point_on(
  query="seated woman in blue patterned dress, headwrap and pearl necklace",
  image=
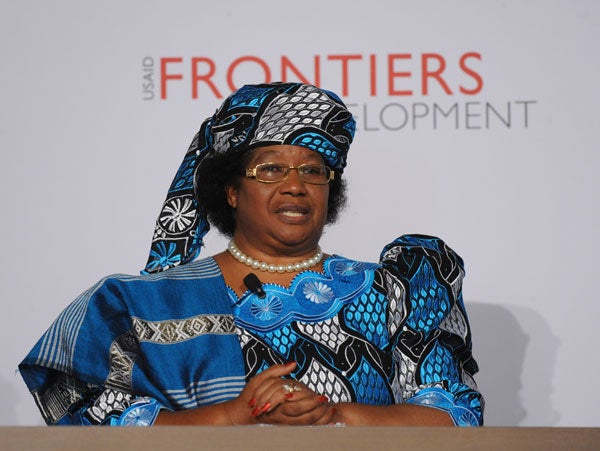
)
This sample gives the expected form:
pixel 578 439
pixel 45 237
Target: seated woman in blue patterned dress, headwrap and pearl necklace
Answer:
pixel 271 330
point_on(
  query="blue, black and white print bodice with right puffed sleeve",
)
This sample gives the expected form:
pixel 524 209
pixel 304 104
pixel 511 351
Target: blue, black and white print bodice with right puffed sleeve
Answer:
pixel 374 334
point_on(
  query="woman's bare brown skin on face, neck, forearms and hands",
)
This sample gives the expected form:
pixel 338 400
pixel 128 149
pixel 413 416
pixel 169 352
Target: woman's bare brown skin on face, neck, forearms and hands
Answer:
pixel 282 223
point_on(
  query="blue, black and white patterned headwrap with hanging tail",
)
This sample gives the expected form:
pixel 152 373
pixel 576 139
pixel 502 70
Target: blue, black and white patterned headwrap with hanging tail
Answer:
pixel 253 116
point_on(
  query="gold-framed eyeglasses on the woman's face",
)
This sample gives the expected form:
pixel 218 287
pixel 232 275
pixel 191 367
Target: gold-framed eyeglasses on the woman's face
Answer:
pixel 315 174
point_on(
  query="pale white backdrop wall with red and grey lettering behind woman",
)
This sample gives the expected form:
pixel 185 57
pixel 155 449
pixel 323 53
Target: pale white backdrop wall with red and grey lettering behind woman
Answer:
pixel 497 155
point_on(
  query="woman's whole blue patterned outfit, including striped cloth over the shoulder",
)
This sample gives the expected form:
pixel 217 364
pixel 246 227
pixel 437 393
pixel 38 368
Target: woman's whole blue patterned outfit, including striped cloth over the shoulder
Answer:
pixel 377 334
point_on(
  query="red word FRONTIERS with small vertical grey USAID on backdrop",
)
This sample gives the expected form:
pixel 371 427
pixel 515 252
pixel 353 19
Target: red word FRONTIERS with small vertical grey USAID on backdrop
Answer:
pixel 398 74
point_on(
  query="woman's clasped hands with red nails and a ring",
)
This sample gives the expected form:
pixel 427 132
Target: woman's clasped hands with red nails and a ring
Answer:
pixel 270 398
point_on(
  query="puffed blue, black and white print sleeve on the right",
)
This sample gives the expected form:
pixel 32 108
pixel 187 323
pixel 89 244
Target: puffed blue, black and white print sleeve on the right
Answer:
pixel 431 333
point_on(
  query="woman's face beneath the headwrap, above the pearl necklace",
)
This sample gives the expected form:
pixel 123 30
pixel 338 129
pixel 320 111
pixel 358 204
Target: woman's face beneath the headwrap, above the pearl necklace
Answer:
pixel 282 218
